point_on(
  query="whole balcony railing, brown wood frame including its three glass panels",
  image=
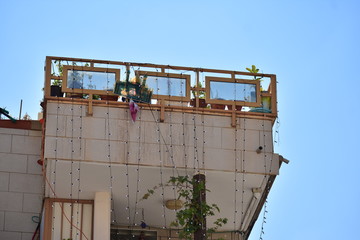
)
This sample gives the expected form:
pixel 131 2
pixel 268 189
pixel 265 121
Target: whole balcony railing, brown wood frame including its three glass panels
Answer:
pixel 210 91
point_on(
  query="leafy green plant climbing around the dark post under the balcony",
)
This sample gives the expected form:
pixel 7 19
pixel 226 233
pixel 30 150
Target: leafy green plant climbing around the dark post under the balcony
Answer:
pixel 194 212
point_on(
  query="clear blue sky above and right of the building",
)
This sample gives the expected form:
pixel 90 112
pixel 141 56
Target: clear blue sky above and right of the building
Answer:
pixel 312 46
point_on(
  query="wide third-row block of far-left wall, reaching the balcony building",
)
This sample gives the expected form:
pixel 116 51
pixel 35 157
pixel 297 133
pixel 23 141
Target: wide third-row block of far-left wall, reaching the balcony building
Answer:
pixel 26 183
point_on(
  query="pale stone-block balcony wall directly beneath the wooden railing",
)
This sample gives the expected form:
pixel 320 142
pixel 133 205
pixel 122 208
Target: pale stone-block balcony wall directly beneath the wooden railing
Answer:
pixel 209 142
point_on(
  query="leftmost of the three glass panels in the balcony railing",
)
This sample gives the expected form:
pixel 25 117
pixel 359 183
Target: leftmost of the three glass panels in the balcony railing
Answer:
pixel 91 80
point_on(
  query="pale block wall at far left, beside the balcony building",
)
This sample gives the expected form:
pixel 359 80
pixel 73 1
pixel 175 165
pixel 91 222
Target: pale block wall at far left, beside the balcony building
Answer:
pixel 21 183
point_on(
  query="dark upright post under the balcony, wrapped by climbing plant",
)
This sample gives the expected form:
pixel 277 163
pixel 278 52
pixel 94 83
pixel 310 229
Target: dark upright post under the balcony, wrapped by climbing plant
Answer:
pixel 199 196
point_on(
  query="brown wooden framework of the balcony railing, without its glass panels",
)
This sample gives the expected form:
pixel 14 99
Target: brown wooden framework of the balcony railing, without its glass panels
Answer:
pixel 271 91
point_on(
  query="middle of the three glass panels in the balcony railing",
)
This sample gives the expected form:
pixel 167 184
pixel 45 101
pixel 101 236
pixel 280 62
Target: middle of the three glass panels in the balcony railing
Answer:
pixel 167 86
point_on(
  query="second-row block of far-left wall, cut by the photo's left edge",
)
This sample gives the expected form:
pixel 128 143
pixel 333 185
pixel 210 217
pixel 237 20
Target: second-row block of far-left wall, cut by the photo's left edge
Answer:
pixel 13 162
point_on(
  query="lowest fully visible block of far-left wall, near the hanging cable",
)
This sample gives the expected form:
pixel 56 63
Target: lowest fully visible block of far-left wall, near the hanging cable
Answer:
pixel 19 222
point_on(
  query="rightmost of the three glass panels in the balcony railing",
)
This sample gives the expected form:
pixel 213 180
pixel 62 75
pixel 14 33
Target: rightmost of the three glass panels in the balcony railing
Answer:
pixel 233 91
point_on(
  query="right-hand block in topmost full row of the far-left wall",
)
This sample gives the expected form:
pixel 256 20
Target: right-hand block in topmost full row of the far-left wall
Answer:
pixel 26 145
